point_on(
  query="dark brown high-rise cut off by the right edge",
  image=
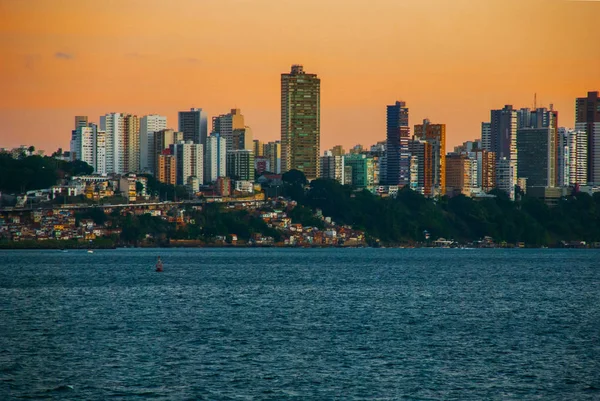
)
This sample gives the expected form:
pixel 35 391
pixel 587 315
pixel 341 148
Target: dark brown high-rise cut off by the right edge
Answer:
pixel 587 119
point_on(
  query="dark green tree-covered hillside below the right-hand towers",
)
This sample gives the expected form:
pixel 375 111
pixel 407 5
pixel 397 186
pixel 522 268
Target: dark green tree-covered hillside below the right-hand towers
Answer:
pixel 406 217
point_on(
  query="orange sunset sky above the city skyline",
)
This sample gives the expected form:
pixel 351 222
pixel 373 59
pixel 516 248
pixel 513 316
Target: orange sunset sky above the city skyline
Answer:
pixel 451 61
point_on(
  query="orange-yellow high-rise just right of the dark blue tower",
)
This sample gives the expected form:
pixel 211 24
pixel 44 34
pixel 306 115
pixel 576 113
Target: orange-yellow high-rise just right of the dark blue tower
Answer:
pixel 435 134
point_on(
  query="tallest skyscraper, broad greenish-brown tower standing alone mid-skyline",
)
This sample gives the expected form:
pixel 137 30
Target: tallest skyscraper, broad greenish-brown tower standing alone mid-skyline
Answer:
pixel 300 122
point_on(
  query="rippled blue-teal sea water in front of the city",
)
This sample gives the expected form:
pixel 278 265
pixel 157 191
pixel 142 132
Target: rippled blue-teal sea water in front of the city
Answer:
pixel 322 324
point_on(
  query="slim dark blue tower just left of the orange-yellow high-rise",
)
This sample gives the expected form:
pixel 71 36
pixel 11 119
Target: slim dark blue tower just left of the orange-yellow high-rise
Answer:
pixel 397 137
